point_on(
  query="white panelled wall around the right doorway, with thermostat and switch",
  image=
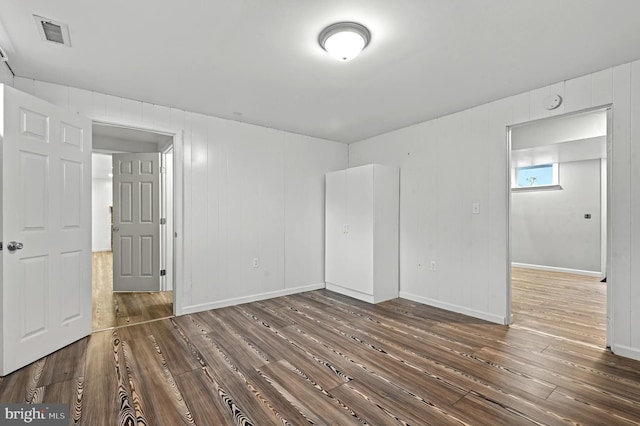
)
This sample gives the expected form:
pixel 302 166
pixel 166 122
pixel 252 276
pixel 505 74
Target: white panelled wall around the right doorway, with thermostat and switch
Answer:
pixel 451 162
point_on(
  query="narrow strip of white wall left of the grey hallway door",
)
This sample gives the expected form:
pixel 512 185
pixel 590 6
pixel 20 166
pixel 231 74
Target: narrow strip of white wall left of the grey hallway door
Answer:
pixel 101 200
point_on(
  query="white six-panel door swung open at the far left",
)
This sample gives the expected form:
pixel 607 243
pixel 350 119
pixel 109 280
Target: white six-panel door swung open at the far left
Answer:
pixel 46 228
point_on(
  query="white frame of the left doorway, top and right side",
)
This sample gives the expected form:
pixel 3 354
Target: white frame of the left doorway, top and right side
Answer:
pixel 178 203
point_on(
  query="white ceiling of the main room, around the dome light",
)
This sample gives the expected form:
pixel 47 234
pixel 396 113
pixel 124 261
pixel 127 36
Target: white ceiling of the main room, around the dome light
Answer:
pixel 259 62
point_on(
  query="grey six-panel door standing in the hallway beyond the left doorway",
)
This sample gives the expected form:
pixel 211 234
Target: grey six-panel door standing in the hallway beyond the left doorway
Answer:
pixel 136 222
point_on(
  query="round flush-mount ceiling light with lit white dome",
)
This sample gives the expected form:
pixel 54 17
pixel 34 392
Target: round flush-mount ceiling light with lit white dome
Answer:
pixel 344 40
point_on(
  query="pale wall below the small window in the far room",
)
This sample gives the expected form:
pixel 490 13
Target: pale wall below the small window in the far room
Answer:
pixel 548 228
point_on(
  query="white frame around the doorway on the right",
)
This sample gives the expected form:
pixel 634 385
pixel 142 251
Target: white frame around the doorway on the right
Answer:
pixel 606 257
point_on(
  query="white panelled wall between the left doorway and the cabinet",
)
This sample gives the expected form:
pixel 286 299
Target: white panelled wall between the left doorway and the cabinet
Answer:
pixel 248 192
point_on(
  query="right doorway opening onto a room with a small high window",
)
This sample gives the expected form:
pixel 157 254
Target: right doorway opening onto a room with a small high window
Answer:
pixel 558 228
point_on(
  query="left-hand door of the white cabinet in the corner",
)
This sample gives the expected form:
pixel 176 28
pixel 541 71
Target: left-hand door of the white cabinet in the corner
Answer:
pixel 335 222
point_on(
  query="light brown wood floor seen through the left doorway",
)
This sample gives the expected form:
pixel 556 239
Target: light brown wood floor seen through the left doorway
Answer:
pixel 123 308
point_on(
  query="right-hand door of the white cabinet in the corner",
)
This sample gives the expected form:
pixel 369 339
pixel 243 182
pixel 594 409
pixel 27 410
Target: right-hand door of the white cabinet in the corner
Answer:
pixel 360 228
